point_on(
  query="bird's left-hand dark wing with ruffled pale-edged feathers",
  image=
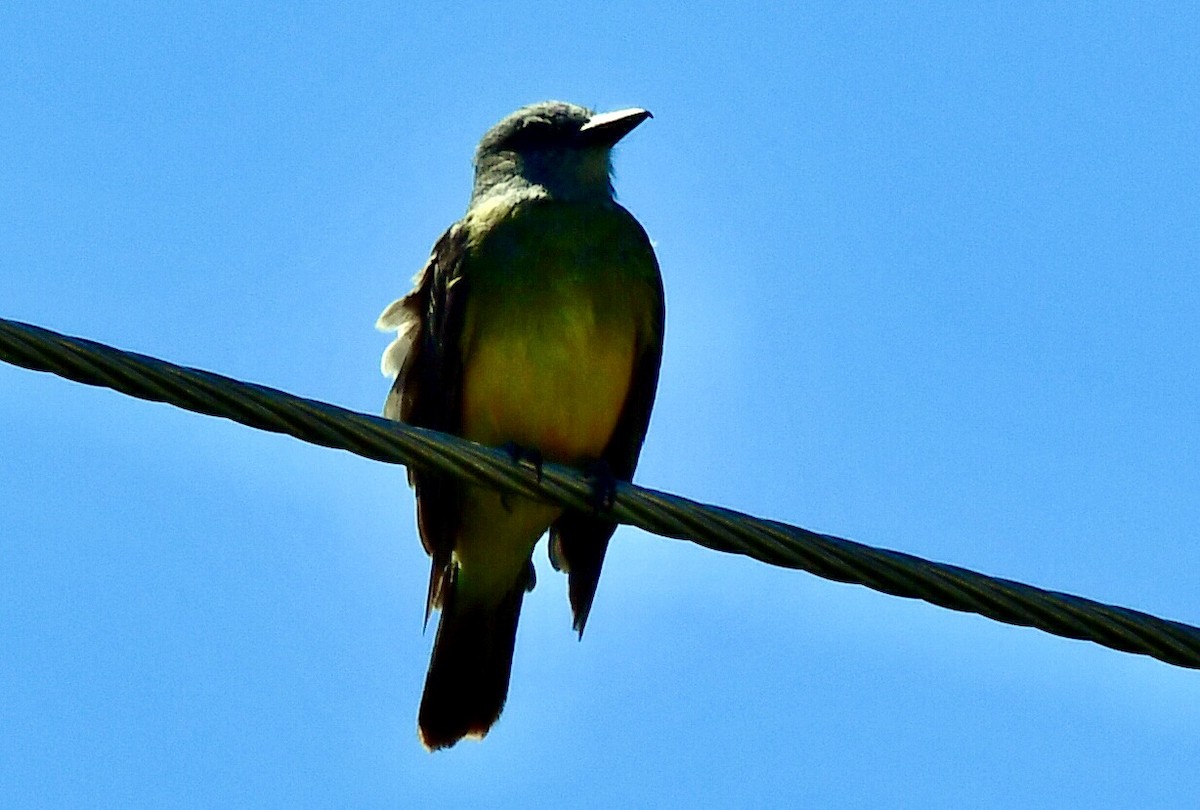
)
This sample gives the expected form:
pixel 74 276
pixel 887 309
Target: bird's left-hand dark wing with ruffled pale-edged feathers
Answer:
pixel 428 392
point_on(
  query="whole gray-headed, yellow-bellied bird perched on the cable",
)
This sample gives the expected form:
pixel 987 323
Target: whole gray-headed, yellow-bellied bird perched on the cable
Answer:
pixel 538 325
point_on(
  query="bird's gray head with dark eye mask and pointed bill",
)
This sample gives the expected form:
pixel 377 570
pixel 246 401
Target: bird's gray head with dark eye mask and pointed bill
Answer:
pixel 553 149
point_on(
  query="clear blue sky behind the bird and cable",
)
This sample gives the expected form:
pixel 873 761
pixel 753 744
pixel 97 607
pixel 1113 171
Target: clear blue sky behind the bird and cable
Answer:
pixel 932 284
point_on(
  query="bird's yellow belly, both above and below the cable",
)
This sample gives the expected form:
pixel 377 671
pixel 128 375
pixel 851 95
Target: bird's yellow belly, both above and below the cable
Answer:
pixel 556 385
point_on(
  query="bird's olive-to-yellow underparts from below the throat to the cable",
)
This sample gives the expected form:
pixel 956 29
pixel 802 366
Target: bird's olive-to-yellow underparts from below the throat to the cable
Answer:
pixel 560 302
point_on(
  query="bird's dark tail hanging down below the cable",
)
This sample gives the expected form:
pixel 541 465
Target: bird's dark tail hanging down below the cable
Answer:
pixel 469 677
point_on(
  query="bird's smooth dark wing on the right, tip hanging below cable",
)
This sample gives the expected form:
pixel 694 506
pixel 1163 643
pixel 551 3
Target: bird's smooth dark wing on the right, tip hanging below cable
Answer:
pixel 579 541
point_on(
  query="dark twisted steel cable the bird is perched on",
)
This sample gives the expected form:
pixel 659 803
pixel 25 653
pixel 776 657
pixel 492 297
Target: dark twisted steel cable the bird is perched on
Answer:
pixel 713 527
